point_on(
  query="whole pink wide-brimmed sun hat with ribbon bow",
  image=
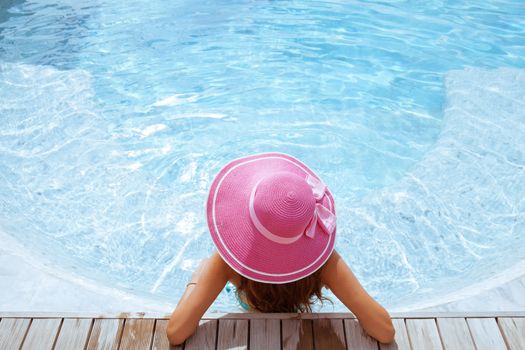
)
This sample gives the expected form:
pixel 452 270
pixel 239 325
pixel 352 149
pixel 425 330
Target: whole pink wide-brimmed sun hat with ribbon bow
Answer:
pixel 271 218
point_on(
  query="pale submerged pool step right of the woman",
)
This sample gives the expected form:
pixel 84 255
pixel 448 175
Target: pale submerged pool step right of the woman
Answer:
pixel 462 205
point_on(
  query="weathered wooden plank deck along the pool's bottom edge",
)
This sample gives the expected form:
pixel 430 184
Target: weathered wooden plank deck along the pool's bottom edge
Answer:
pixel 261 331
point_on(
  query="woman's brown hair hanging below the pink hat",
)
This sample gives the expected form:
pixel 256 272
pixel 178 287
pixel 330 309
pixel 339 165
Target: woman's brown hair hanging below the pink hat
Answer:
pixel 297 296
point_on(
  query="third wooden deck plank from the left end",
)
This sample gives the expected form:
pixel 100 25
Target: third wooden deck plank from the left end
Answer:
pixel 73 333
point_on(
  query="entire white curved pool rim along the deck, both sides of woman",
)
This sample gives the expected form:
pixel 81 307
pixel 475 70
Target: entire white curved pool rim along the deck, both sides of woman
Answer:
pixel 31 284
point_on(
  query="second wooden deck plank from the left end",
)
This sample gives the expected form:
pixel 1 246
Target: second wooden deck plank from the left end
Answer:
pixel 42 333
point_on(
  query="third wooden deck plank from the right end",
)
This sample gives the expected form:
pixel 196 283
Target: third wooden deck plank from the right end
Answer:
pixel 455 334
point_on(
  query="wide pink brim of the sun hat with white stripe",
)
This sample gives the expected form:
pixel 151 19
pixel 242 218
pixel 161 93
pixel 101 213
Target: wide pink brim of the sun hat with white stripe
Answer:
pixel 240 244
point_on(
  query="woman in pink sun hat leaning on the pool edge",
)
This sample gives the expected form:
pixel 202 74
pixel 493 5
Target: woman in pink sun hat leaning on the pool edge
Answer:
pixel 273 223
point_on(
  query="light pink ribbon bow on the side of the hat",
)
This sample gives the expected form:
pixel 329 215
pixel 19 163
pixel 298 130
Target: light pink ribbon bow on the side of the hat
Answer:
pixel 322 215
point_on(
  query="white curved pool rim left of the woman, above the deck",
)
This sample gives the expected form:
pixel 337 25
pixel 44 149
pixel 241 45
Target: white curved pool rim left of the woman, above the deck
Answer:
pixel 31 284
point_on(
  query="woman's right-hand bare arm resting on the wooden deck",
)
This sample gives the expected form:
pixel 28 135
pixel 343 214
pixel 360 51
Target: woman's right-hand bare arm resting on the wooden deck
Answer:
pixel 375 320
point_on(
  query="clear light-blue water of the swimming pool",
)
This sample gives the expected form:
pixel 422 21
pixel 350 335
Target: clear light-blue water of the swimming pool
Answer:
pixel 116 116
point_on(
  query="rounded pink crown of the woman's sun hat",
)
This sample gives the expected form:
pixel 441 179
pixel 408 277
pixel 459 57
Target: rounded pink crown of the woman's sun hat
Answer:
pixel 284 204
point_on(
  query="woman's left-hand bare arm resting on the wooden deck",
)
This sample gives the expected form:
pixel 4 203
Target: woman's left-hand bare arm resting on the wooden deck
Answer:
pixel 206 283
